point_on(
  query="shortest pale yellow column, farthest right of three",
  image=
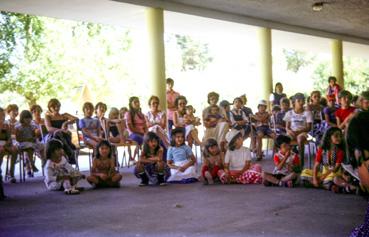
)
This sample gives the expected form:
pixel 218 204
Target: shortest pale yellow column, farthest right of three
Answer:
pixel 337 61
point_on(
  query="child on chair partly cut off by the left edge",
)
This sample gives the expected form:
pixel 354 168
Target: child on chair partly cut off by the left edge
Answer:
pixel 6 145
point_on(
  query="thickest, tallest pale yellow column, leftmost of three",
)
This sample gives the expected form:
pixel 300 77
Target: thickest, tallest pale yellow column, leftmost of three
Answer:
pixel 155 30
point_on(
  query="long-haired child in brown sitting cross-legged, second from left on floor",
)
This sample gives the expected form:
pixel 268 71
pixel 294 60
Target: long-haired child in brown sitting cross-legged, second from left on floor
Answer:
pixel 103 173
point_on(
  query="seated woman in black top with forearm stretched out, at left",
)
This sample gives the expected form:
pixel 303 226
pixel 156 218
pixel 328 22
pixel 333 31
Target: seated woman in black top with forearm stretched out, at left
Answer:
pixel 57 127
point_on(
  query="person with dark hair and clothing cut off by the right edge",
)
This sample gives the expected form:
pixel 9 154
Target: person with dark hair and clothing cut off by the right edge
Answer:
pixel 358 144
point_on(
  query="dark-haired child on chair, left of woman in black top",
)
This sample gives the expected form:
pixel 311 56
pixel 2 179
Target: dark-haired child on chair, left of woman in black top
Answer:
pixel 26 136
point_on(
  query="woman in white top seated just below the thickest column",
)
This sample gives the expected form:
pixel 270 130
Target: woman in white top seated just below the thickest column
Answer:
pixel 156 120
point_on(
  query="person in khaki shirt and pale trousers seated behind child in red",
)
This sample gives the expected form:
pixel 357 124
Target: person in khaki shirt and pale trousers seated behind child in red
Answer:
pixel 218 130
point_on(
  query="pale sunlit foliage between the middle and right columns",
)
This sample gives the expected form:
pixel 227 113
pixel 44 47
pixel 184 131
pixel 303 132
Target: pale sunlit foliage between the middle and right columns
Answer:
pixel 297 59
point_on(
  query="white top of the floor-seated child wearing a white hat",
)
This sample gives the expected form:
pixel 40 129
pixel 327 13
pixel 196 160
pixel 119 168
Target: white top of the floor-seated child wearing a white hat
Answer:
pixel 237 158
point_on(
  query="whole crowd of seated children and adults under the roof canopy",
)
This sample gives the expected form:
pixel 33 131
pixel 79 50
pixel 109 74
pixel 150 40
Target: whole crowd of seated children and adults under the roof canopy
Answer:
pixel 337 122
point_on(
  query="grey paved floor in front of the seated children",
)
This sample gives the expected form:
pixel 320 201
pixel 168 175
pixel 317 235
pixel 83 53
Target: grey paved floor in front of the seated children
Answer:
pixel 178 210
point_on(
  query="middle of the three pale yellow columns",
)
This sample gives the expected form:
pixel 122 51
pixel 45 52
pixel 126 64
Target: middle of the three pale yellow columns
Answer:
pixel 266 73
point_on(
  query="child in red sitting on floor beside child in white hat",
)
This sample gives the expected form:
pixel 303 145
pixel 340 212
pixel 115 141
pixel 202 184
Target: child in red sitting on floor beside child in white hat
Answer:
pixel 212 162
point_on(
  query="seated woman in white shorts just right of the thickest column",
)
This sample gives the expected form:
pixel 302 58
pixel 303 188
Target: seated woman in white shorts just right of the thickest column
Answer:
pixel 181 121
